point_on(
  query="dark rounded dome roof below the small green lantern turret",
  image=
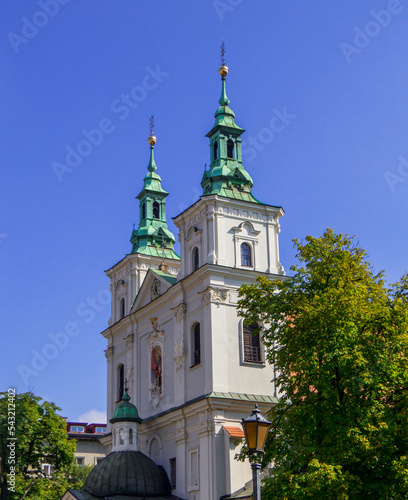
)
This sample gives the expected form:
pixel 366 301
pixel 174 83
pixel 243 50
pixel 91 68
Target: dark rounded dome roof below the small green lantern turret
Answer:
pixel 127 473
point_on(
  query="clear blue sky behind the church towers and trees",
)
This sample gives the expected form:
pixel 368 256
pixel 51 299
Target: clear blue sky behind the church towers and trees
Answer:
pixel 337 157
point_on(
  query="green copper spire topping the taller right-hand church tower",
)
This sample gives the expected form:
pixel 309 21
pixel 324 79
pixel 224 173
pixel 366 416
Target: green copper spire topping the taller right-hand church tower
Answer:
pixel 227 175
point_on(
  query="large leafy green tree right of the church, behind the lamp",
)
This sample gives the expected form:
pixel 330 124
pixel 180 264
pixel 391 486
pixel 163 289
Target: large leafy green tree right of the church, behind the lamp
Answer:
pixel 338 337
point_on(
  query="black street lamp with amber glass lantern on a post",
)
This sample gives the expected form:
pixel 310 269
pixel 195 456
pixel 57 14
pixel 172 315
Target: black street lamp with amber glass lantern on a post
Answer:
pixel 255 430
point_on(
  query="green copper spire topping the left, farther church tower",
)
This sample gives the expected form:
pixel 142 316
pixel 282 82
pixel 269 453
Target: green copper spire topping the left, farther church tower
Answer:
pixel 153 236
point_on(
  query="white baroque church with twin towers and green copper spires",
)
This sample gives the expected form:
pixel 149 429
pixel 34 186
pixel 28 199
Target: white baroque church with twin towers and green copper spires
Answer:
pixel 175 341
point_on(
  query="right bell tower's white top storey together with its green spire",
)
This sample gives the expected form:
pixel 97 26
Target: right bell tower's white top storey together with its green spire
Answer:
pixel 229 226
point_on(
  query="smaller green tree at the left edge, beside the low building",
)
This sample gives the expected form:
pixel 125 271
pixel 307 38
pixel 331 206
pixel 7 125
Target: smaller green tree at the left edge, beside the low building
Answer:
pixel 31 432
